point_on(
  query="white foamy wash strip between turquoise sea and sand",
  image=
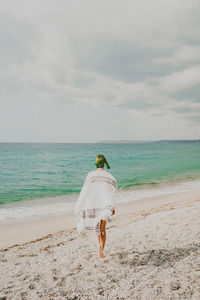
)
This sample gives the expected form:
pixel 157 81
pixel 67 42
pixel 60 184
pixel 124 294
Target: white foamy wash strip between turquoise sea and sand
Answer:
pixel 15 213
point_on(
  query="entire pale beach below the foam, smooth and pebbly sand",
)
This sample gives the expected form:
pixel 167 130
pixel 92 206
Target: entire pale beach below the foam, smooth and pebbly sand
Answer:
pixel 152 252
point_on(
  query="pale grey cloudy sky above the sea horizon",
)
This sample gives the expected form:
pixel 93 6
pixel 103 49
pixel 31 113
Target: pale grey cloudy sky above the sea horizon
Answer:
pixel 85 71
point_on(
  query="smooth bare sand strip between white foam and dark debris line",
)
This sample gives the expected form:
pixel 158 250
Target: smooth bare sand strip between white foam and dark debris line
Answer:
pixel 28 231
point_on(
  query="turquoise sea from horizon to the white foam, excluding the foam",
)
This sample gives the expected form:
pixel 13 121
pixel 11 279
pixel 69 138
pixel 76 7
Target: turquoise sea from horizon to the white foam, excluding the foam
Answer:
pixel 29 171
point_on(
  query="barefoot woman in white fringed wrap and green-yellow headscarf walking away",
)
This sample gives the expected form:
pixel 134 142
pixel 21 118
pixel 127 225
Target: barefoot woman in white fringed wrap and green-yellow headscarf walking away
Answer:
pixel 95 205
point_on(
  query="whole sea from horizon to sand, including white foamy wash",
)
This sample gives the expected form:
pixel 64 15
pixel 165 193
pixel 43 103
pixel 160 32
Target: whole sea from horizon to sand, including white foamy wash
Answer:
pixel 39 180
